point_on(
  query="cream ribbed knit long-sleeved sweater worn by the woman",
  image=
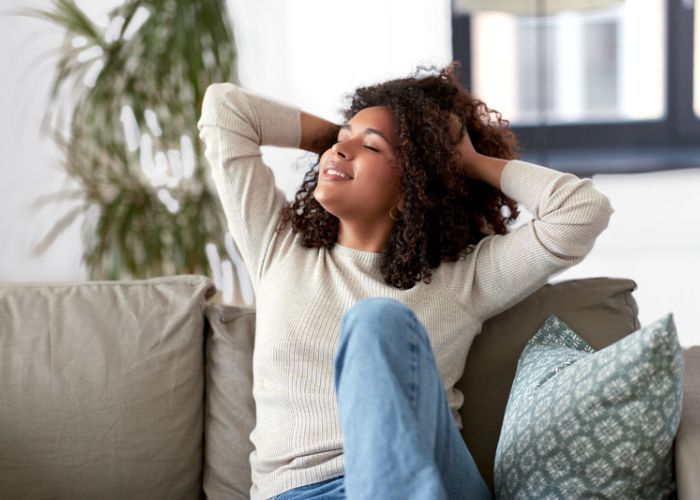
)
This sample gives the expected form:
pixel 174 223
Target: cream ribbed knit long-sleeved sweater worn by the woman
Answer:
pixel 302 293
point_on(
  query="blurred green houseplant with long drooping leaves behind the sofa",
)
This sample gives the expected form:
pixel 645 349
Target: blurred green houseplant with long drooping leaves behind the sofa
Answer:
pixel 135 88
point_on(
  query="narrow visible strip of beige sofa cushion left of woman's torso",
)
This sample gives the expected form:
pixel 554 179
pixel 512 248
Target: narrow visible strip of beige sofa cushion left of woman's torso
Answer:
pixel 229 408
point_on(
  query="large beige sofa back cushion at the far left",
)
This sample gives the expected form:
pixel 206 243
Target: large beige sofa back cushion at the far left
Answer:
pixel 101 387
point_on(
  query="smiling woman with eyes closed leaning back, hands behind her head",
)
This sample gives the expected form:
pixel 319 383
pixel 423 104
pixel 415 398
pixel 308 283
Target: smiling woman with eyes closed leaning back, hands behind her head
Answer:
pixel 372 284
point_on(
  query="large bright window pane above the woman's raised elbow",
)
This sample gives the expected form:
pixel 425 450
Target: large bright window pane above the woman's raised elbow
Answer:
pixel 599 65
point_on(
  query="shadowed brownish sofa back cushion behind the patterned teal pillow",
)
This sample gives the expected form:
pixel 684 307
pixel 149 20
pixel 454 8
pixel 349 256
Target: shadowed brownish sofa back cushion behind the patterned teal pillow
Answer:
pixel 583 304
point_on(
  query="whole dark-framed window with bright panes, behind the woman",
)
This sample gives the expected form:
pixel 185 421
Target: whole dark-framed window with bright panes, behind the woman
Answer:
pixel 613 89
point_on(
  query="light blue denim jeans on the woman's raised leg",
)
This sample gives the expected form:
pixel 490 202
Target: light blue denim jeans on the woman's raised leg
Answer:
pixel 400 440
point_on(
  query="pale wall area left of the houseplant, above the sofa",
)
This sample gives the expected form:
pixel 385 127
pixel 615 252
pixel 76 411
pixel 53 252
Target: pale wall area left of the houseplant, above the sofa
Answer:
pixel 29 162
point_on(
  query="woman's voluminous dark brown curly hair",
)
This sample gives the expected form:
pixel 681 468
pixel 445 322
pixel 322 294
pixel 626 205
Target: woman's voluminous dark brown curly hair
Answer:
pixel 445 213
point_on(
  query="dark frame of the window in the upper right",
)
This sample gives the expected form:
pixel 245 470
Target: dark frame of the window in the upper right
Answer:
pixel 671 142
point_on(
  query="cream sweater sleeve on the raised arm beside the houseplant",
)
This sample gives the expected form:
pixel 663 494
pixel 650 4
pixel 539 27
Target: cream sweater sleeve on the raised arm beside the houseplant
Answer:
pixel 233 125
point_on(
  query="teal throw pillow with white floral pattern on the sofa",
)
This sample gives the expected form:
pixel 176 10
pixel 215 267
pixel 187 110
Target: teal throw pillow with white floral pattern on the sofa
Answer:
pixel 587 424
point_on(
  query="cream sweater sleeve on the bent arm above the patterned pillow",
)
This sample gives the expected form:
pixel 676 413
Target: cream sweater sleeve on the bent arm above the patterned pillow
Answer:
pixel 569 214
